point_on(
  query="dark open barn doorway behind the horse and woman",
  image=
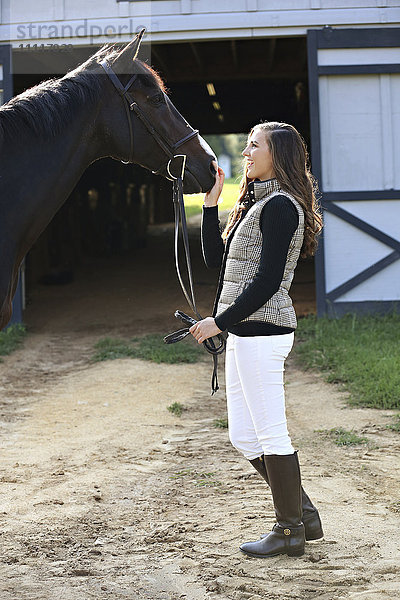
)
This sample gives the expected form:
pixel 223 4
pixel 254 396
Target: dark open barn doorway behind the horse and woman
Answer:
pixel 119 216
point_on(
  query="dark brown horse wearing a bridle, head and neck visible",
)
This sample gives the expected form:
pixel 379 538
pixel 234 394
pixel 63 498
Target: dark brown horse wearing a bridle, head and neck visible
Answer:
pixel 52 132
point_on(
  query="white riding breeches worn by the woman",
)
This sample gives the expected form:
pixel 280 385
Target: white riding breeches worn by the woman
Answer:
pixel 255 394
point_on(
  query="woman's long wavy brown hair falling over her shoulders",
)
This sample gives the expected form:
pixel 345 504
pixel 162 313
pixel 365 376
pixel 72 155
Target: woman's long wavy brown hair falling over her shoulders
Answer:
pixel 291 166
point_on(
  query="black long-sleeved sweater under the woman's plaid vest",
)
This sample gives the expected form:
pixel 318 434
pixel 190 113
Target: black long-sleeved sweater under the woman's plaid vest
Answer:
pixel 278 222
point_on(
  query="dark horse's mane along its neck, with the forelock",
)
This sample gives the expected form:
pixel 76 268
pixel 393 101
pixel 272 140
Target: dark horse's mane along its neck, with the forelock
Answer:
pixel 49 107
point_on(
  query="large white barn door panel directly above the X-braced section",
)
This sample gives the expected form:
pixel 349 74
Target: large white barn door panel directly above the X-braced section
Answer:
pixel 359 117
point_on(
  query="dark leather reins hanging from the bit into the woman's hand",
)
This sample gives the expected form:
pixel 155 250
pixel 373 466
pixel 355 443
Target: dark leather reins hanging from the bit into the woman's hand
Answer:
pixel 180 217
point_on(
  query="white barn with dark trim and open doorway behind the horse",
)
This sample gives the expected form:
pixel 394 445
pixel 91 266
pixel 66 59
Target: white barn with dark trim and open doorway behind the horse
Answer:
pixel 330 67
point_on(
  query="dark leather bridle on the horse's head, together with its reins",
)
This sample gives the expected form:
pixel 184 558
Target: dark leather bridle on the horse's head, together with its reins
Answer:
pixel 175 164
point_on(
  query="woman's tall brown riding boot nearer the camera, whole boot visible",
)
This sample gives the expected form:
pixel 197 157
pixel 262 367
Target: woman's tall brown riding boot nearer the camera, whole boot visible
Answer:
pixel 287 535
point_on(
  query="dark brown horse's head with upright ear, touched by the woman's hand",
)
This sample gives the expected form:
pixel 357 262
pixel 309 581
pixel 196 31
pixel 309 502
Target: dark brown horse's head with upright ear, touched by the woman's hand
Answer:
pixel 149 129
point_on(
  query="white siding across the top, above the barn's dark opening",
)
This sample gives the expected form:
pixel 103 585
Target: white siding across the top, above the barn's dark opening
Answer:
pixel 184 20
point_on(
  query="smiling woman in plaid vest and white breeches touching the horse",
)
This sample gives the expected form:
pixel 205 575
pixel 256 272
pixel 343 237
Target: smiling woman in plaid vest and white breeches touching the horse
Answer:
pixel 275 220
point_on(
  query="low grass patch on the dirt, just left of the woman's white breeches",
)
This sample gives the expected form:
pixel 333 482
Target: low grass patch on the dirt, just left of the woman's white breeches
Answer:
pixel 149 347
